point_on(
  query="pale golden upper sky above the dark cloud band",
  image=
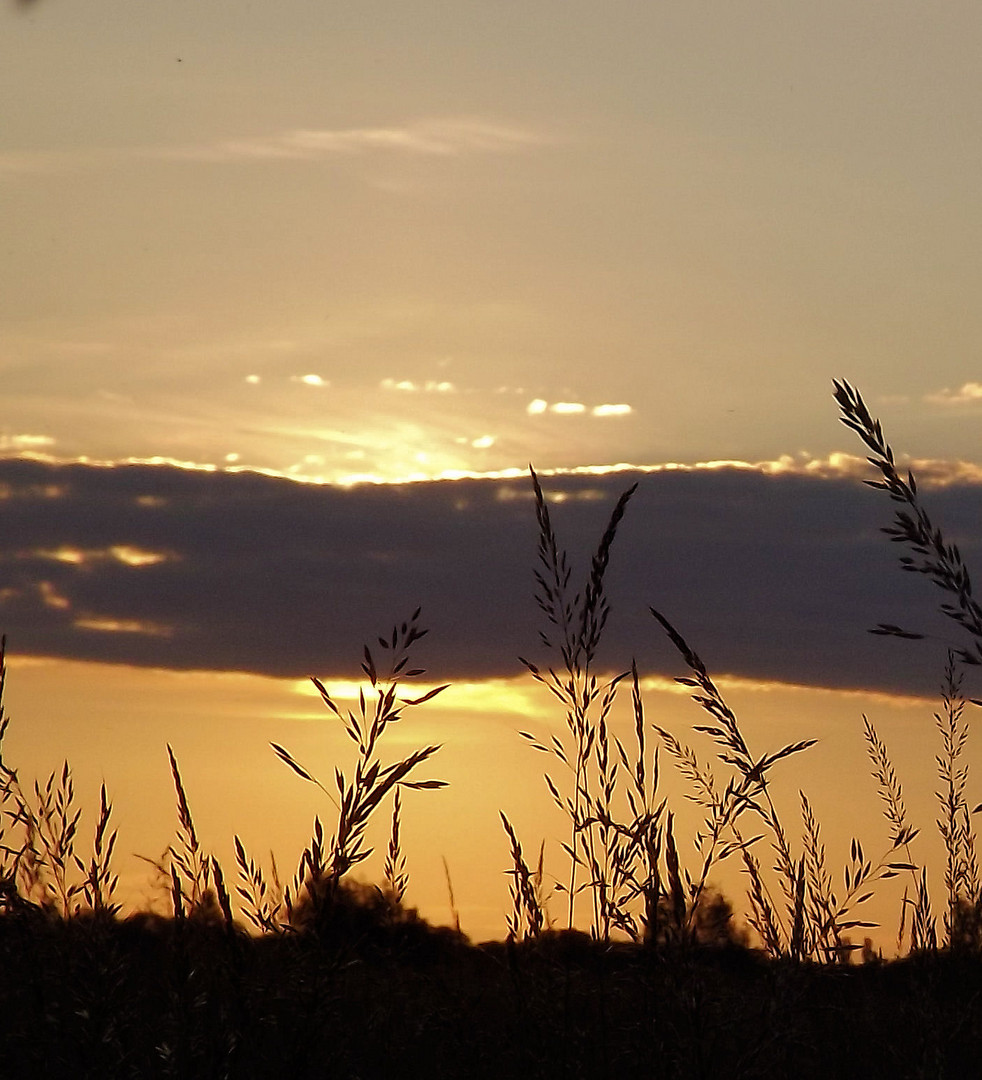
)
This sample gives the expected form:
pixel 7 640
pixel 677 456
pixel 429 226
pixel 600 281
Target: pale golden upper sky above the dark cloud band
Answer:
pixel 400 239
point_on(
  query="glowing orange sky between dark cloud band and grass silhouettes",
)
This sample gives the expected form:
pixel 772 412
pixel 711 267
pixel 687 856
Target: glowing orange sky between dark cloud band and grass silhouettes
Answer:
pixel 113 723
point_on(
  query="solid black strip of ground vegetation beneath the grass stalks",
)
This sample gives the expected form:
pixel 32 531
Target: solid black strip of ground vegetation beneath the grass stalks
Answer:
pixel 146 997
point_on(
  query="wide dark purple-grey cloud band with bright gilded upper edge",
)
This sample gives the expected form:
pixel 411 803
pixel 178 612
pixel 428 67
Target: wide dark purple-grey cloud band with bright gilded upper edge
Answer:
pixel 770 575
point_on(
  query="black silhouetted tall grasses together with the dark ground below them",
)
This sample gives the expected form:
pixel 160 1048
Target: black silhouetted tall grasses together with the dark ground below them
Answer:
pixel 319 977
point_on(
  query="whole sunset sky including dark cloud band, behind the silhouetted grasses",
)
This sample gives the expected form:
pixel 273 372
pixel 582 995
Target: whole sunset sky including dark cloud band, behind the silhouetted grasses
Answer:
pixel 291 296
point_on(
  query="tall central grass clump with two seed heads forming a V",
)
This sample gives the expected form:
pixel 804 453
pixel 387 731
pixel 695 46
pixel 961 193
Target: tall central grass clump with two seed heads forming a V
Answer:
pixel 616 830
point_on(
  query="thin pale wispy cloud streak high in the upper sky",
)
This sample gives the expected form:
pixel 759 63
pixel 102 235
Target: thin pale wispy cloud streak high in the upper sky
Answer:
pixel 428 139
